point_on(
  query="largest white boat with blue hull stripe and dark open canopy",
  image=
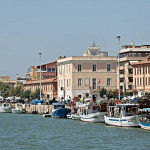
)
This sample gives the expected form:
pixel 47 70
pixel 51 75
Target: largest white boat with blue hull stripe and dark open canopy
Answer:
pixel 123 115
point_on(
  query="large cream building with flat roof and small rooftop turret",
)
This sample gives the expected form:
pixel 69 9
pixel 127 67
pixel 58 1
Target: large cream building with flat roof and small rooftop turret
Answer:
pixel 79 76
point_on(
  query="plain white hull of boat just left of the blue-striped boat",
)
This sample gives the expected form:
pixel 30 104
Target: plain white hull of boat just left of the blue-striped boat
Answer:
pixel 94 117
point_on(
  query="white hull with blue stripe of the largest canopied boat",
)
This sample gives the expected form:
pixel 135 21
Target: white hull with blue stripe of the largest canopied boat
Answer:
pixel 127 121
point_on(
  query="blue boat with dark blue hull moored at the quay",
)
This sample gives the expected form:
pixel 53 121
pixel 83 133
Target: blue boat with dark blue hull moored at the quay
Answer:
pixel 59 110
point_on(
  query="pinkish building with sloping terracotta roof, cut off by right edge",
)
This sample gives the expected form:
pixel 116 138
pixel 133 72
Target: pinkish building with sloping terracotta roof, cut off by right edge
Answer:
pixel 141 75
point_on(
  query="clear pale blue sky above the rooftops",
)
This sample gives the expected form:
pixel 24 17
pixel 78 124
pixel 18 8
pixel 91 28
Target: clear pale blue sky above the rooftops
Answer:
pixel 66 28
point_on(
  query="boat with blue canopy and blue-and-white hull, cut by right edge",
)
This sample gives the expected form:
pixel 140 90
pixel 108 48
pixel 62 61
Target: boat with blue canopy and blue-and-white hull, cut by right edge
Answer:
pixel 145 119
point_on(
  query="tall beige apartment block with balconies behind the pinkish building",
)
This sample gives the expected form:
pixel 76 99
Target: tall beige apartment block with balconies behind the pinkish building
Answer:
pixel 129 55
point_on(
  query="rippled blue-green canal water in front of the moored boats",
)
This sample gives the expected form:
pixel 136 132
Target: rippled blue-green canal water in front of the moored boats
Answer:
pixel 33 132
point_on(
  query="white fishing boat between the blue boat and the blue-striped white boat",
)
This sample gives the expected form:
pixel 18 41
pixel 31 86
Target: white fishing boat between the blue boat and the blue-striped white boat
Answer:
pixel 92 112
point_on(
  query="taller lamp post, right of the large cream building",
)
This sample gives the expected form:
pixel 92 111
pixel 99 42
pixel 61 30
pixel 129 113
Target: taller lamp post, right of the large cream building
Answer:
pixel 118 37
